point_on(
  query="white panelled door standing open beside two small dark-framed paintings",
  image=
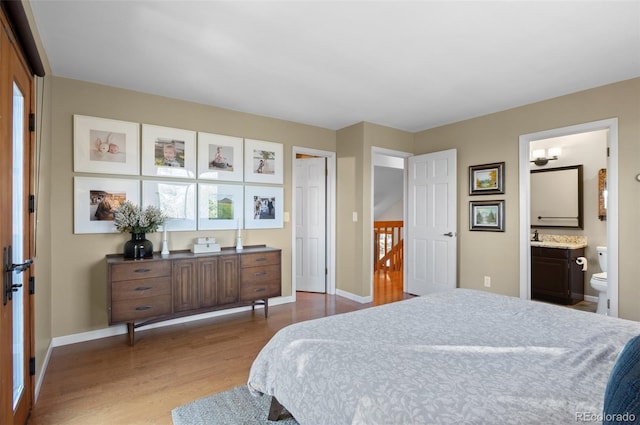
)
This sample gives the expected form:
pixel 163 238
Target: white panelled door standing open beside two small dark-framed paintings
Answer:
pixel 430 251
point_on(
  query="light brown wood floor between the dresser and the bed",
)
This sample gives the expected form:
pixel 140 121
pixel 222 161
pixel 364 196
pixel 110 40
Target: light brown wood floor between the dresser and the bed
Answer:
pixel 108 382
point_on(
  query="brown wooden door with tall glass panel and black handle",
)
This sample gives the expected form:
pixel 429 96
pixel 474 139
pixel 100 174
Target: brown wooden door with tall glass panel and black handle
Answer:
pixel 16 317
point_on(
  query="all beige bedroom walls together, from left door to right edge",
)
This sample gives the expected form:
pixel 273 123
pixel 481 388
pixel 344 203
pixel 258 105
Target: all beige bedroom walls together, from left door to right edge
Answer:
pixel 77 289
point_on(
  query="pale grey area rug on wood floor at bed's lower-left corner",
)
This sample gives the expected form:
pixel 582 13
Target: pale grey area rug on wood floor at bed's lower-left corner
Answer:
pixel 234 407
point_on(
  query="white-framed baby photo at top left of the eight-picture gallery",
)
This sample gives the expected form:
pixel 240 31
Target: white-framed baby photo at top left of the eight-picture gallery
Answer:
pixel 102 145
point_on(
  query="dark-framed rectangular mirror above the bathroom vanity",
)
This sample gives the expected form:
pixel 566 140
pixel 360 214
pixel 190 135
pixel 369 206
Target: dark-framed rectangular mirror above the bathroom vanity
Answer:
pixel 557 198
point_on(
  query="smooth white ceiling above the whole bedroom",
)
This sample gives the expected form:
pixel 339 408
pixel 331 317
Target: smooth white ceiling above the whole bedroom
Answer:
pixel 408 65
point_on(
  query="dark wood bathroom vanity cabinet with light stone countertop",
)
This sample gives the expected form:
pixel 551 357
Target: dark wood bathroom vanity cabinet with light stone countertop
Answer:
pixel 555 275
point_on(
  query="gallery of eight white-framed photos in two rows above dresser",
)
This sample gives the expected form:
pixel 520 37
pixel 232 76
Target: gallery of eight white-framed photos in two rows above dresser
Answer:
pixel 197 178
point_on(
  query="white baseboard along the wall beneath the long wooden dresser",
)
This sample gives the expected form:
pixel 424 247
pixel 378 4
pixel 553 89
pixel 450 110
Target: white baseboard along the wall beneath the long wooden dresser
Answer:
pixel 122 329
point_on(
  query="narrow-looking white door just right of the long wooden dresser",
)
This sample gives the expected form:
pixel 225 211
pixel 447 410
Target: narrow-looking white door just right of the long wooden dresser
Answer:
pixel 310 224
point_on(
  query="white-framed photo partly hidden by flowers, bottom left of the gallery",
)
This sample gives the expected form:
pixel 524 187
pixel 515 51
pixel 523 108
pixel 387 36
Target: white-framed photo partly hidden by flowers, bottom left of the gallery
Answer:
pixel 96 199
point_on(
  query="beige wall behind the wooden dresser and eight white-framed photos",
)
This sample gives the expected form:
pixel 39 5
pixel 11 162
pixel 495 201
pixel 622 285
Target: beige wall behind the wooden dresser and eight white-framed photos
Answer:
pixel 78 272
